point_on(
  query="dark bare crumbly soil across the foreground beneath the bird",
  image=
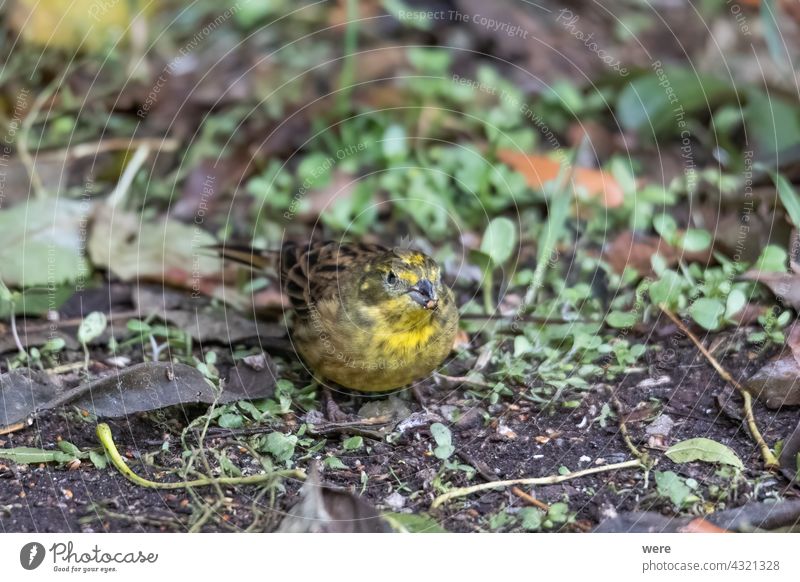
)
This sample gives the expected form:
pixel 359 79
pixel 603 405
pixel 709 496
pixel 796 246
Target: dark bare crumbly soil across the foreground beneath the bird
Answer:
pixel 532 442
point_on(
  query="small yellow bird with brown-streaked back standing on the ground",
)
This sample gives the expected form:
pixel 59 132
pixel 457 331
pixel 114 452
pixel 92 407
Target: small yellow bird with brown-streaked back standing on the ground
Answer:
pixel 366 317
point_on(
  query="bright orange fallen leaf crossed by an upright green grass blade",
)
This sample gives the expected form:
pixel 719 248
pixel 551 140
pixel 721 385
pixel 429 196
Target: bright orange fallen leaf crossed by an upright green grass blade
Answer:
pixel 538 170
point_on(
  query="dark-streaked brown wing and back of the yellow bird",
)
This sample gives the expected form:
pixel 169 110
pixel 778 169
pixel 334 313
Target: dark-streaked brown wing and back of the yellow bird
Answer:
pixel 314 272
